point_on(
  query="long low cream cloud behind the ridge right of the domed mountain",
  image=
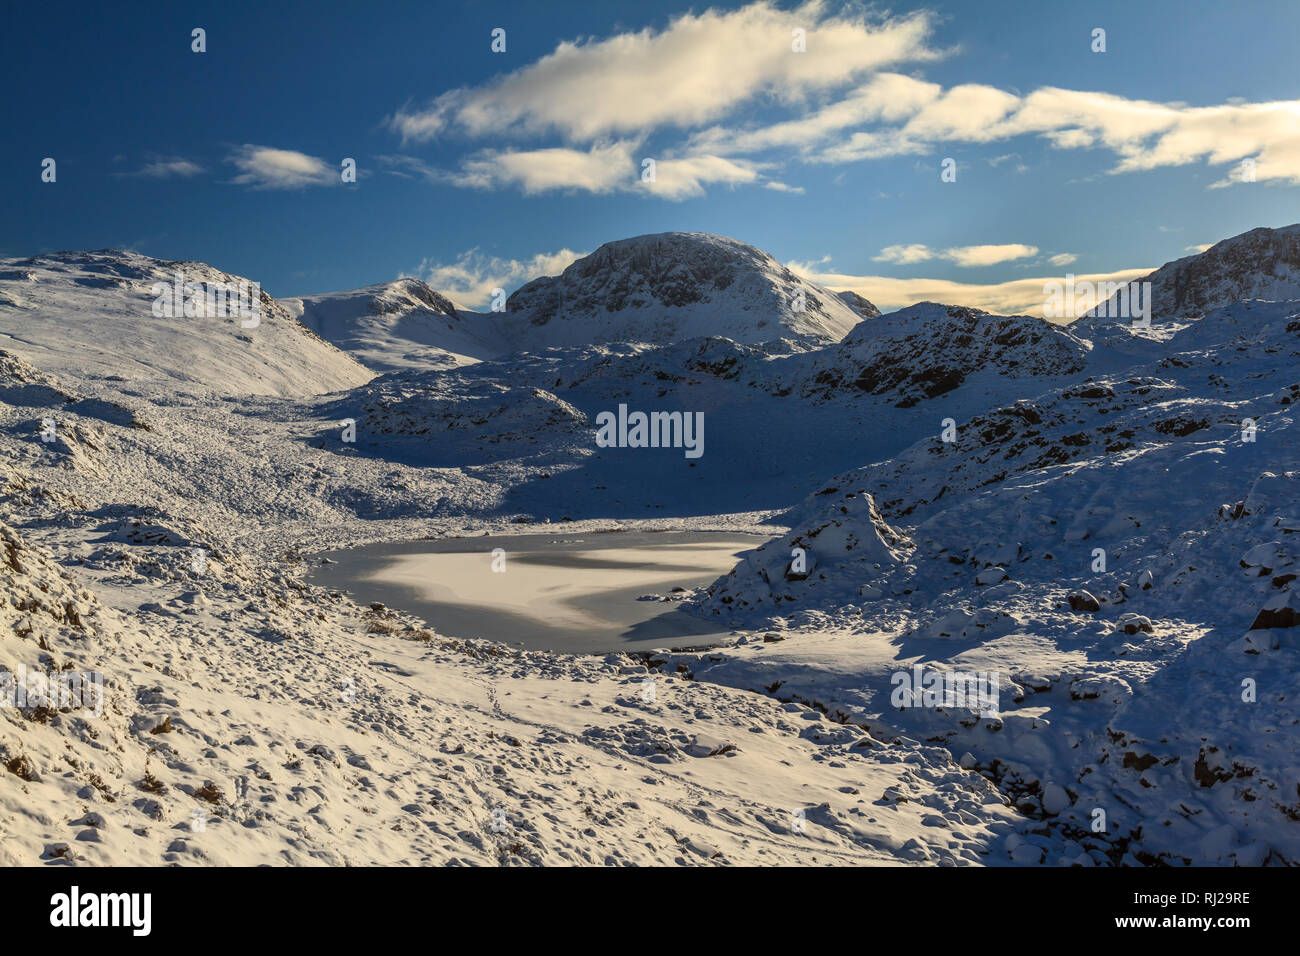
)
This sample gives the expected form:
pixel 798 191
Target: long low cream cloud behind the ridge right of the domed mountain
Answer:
pixel 1017 297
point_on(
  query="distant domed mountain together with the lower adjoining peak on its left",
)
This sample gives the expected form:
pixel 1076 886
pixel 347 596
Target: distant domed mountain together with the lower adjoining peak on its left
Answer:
pixel 653 289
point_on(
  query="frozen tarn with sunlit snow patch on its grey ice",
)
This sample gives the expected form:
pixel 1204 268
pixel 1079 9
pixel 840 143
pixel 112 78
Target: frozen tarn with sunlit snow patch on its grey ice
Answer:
pixel 575 594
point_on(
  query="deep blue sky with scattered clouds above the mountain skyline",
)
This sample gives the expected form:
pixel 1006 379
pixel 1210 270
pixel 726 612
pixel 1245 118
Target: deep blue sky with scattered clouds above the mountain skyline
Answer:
pixel 480 170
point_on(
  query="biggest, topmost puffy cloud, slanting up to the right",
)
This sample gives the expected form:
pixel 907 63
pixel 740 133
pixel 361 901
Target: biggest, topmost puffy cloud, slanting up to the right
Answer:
pixel 692 72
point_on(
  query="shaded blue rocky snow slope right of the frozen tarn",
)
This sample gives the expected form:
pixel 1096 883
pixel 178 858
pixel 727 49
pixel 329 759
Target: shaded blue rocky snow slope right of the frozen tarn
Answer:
pixel 986 551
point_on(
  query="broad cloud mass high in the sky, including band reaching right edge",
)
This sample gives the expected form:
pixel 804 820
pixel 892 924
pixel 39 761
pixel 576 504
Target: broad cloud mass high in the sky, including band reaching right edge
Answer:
pixel 844 102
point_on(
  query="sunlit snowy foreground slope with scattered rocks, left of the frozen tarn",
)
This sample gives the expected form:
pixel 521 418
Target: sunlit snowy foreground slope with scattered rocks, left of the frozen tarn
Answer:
pixel 250 719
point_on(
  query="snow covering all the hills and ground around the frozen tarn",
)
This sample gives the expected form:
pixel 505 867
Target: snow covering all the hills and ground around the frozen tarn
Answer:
pixel 1111 533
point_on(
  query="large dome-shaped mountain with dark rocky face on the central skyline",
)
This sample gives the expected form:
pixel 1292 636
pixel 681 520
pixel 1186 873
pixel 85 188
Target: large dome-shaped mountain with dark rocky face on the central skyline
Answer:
pixel 670 287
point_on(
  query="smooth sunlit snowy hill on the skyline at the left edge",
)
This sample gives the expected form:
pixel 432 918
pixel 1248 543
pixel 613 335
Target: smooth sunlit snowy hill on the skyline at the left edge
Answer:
pixel 99 313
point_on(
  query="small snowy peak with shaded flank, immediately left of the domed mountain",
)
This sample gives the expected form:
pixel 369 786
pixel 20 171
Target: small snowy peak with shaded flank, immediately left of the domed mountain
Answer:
pixel 398 325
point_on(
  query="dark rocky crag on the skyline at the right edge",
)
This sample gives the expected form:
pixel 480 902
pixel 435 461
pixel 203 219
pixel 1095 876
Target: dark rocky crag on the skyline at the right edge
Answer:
pixel 1260 265
